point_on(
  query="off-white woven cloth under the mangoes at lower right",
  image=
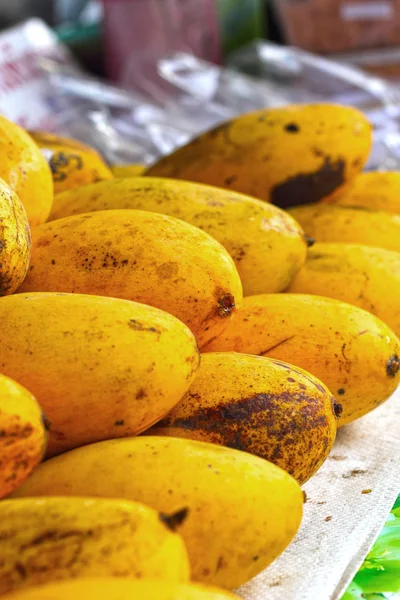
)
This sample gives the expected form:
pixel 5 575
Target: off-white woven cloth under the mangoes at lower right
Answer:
pixel 348 501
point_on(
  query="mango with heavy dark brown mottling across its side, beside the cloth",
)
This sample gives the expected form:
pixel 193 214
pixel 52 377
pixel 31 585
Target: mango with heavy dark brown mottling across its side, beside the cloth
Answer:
pixel 256 404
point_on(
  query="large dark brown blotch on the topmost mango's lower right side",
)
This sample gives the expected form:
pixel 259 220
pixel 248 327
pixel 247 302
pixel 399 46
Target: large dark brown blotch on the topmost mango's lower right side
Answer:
pixel 305 188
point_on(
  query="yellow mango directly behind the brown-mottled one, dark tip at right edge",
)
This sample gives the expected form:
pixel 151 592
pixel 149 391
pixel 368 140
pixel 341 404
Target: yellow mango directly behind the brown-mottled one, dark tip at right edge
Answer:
pixel 354 353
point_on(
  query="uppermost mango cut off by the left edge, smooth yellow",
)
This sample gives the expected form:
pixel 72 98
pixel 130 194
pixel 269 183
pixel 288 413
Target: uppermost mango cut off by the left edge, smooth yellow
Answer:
pixel 26 170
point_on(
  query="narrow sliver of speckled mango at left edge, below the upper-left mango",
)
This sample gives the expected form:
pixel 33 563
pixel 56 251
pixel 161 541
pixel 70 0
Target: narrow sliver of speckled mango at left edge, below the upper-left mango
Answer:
pixel 15 241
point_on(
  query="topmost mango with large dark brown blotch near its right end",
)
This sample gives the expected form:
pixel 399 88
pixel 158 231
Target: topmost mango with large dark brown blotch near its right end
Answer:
pixel 289 155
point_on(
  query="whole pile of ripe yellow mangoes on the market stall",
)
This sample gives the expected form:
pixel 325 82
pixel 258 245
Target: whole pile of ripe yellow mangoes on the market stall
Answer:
pixel 179 345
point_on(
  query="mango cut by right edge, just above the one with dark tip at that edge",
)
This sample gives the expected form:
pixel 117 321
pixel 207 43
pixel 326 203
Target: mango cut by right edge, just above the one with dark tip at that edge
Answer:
pixel 361 275
